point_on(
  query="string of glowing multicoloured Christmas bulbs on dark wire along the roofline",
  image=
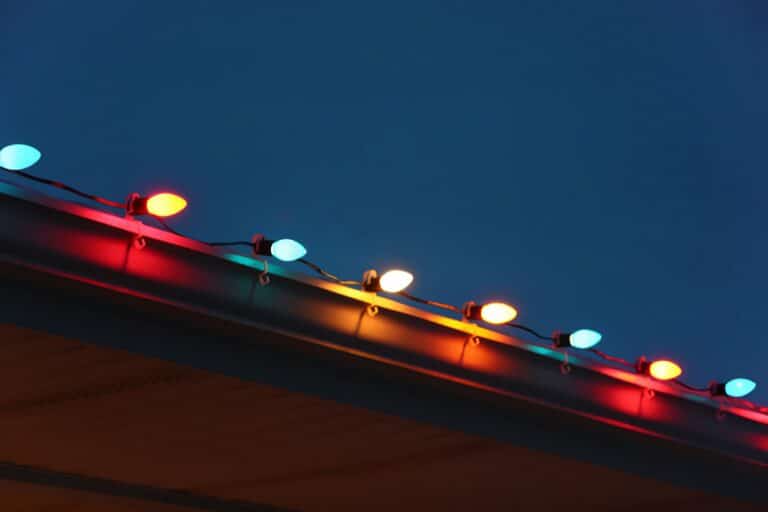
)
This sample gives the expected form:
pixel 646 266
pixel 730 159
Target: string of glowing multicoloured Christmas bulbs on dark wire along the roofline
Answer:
pixel 17 157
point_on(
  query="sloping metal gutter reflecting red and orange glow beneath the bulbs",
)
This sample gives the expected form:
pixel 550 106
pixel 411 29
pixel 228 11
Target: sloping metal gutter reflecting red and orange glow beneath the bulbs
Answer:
pixel 82 244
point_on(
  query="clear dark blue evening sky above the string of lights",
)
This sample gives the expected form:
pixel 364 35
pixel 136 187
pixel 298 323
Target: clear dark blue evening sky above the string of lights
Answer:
pixel 597 164
